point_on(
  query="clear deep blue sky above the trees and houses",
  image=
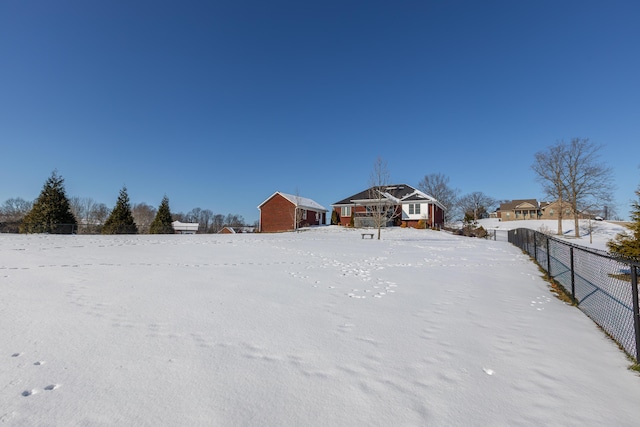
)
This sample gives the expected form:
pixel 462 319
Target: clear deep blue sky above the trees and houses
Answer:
pixel 218 104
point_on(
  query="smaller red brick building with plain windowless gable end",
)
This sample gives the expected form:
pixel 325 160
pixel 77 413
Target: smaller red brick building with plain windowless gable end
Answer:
pixel 286 212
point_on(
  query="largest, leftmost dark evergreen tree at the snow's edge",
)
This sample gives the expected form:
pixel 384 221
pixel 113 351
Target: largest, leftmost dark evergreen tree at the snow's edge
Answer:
pixel 51 212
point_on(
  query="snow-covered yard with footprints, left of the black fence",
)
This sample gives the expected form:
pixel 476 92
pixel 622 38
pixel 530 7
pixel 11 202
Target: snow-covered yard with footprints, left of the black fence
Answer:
pixel 312 328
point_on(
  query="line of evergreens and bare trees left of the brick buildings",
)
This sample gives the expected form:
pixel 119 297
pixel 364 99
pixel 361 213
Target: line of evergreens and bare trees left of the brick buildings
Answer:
pixel 54 212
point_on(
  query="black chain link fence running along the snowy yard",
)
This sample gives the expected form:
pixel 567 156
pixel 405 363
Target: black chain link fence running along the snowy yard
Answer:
pixel 605 288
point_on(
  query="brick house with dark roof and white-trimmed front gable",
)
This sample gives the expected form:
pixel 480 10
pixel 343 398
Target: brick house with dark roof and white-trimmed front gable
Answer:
pixel 409 204
